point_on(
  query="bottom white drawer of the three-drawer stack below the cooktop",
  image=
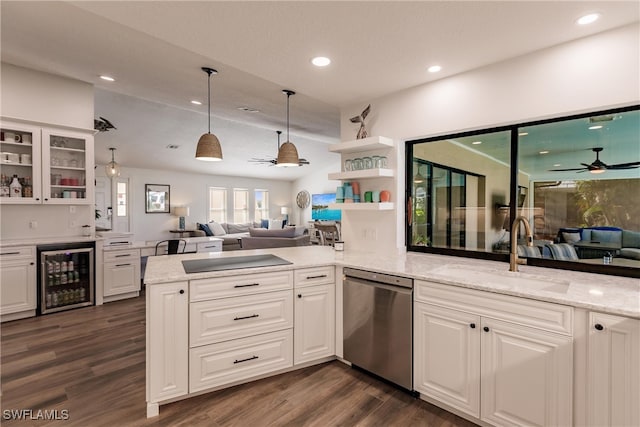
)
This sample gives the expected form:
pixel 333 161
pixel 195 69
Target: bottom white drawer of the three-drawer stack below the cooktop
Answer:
pixel 231 361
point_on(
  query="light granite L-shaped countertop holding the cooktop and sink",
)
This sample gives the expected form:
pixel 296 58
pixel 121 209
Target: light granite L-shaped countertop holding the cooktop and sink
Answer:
pixel 604 293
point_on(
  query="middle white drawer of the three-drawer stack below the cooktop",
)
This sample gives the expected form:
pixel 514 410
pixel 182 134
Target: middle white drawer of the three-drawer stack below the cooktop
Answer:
pixel 230 318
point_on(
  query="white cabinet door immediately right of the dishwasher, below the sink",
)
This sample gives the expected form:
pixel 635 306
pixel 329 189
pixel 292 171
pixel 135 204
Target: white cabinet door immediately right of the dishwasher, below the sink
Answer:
pixel 447 356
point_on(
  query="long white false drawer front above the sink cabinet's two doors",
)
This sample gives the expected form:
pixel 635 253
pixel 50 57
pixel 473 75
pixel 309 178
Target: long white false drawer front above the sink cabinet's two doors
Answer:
pixel 538 314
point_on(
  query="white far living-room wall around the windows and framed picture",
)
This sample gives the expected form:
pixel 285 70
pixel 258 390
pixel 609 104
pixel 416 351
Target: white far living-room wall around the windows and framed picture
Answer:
pixel 189 189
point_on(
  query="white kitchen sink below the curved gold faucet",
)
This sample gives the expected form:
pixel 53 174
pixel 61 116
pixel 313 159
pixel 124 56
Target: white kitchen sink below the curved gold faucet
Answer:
pixel 510 279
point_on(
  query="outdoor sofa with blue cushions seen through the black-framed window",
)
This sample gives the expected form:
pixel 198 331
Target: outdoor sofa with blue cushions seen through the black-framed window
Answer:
pixel 622 243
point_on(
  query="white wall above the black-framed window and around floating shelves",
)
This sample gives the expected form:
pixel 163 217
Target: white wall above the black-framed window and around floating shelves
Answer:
pixel 589 74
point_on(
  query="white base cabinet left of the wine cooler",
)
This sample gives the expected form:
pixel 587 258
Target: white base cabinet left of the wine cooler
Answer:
pixel 17 282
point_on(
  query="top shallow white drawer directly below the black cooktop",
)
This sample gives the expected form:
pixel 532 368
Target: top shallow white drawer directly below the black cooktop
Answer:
pixel 243 284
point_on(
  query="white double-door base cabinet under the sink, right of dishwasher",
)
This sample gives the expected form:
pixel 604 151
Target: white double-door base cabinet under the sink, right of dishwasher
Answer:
pixel 501 359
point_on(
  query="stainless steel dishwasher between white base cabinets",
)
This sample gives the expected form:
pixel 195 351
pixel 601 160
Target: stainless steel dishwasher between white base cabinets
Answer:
pixel 378 324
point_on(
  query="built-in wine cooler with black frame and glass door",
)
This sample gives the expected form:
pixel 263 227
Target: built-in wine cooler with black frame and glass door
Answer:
pixel 65 276
